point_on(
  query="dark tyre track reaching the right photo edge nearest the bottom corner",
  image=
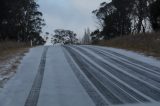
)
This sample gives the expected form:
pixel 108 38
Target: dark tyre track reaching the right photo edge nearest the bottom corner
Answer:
pixel 135 83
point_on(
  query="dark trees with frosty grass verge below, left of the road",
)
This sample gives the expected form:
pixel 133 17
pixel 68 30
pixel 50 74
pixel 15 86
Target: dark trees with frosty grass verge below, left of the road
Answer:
pixel 20 24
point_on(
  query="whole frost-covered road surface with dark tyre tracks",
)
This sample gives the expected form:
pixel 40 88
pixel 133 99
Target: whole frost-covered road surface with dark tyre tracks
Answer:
pixel 82 76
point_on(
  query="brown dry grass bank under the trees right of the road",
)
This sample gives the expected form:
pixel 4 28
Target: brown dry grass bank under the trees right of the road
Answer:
pixel 145 43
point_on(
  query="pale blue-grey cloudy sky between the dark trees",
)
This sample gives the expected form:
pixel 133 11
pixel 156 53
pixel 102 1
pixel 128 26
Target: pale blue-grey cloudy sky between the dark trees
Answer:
pixel 75 15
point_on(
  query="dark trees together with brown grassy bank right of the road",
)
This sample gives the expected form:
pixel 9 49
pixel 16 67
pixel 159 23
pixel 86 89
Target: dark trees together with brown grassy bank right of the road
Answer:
pixel 129 24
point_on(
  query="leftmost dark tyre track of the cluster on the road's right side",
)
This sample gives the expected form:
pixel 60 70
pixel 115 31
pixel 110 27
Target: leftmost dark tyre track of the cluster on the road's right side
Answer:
pixel 92 92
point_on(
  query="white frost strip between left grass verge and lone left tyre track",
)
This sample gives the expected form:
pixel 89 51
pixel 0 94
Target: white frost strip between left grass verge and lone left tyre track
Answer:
pixel 17 89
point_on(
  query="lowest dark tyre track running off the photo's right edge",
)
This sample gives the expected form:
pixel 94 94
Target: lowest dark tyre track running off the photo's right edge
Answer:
pixel 142 86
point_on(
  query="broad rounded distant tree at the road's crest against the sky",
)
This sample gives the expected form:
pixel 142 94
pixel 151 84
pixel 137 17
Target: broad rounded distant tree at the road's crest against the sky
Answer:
pixel 65 36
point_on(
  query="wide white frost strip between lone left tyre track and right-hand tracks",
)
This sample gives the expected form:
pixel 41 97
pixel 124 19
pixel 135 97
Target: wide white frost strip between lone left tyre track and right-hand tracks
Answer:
pixel 60 86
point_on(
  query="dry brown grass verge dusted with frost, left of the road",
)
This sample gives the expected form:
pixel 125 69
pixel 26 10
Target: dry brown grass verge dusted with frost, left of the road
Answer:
pixel 11 54
